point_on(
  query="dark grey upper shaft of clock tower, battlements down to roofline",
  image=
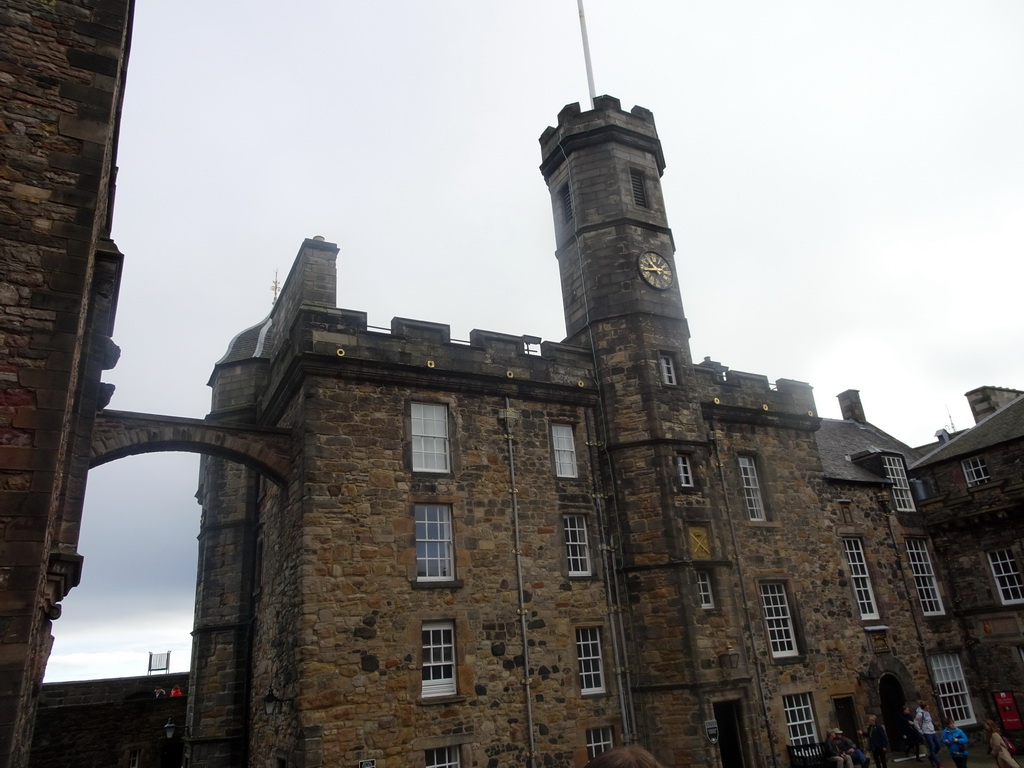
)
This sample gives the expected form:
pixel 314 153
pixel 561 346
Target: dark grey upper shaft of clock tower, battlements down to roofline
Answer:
pixel 616 251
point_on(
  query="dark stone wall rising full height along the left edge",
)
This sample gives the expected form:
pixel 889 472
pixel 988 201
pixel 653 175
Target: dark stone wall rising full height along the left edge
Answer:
pixel 62 72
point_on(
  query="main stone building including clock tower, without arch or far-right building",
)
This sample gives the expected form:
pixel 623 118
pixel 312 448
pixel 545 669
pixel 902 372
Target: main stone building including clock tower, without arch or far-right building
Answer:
pixel 508 552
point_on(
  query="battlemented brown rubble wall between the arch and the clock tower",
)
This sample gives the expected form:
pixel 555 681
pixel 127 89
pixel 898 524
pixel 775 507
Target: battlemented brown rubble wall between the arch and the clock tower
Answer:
pixel 339 608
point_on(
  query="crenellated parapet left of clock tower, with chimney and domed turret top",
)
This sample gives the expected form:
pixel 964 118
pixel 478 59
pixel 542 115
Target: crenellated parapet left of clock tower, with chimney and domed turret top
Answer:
pixel 306 330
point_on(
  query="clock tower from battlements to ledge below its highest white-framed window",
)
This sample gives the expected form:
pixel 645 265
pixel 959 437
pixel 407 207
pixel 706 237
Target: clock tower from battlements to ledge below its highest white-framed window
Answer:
pixel 620 283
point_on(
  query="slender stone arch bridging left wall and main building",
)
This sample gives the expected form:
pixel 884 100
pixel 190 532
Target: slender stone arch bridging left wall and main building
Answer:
pixel 121 434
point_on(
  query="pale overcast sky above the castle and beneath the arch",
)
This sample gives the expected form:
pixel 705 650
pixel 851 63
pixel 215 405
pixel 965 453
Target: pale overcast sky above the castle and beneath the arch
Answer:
pixel 845 183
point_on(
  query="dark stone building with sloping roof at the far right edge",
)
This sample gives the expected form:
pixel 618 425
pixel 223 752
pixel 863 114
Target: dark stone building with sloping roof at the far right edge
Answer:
pixel 972 486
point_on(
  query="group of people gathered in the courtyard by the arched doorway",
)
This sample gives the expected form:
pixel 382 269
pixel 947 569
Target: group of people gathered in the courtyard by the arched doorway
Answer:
pixel 918 731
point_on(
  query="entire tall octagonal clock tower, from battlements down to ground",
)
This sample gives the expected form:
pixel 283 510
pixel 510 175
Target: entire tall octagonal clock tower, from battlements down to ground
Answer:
pixel 622 302
